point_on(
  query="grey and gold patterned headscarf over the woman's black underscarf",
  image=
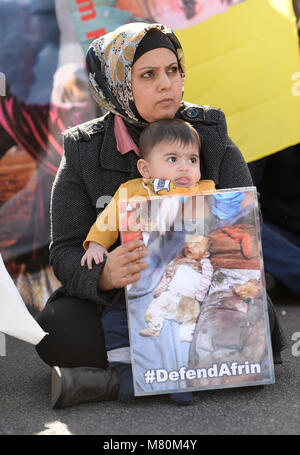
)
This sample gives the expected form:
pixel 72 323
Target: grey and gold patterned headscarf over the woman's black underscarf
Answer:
pixel 109 62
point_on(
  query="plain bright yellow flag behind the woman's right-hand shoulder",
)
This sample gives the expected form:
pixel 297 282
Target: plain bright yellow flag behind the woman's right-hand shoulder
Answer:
pixel 246 62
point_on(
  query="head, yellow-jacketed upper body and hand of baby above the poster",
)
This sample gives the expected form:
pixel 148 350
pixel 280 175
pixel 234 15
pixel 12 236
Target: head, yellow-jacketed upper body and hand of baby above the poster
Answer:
pixel 169 165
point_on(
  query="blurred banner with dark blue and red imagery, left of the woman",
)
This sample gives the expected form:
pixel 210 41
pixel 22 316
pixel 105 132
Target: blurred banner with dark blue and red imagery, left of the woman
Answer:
pixel 46 91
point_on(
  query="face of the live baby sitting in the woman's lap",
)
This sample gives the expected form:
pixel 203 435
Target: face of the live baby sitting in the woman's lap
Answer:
pixel 175 162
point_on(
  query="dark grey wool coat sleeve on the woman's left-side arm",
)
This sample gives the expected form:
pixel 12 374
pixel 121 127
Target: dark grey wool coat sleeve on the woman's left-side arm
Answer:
pixel 71 216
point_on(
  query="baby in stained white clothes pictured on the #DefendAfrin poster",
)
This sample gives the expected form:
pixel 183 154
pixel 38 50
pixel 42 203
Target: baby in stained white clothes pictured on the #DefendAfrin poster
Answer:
pixel 173 298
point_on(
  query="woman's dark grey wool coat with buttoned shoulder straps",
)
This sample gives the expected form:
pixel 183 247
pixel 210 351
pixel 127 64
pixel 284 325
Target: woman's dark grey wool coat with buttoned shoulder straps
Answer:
pixel 92 168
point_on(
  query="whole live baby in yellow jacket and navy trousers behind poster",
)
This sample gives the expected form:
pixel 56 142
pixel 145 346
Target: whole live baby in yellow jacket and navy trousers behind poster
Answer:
pixel 169 165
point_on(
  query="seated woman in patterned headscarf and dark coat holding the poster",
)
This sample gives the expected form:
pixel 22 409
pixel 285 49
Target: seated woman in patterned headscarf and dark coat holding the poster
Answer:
pixel 136 73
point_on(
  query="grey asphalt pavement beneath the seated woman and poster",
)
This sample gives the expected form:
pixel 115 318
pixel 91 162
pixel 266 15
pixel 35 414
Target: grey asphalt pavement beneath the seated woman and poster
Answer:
pixel 272 410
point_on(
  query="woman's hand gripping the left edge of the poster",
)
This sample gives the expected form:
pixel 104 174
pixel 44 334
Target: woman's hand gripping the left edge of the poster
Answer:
pixel 123 266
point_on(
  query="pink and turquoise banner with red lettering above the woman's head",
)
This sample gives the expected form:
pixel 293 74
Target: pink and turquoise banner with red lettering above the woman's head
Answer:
pixel 93 18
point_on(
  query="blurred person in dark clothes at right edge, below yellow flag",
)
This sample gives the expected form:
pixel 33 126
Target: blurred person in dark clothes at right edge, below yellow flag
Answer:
pixel 277 179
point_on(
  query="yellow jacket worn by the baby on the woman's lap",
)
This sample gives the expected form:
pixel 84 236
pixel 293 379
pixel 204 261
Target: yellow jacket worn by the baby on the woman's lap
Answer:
pixel 105 230
